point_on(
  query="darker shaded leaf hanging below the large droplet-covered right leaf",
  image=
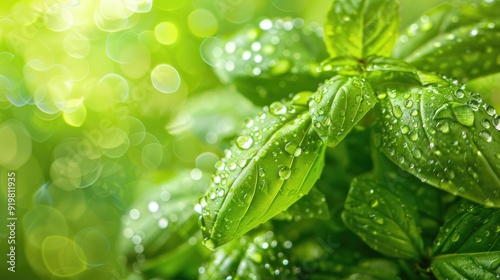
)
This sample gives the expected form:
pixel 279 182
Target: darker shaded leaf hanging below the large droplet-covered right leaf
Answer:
pixel 385 220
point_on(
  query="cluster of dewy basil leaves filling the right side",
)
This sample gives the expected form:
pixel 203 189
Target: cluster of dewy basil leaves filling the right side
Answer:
pixel 362 166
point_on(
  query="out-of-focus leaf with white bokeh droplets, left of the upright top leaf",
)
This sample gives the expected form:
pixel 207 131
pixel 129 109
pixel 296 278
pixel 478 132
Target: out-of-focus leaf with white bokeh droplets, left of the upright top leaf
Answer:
pixel 268 61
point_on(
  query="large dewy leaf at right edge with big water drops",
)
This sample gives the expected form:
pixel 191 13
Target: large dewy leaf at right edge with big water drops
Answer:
pixel 445 136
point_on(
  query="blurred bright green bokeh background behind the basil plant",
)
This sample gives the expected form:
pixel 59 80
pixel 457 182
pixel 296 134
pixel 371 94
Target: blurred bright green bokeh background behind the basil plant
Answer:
pixel 101 102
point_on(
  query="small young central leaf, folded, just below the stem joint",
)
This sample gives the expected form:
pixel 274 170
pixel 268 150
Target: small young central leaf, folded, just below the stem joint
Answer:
pixel 338 105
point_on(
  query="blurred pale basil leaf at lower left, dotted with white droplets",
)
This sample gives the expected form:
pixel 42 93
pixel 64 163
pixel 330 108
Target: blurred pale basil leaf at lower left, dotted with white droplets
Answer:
pixel 157 222
